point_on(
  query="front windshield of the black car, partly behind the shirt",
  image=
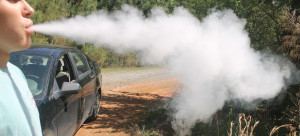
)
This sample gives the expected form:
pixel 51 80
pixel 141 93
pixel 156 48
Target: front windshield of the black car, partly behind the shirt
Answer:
pixel 35 68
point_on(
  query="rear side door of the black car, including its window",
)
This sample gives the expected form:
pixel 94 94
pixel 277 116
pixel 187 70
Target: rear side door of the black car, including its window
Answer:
pixel 86 78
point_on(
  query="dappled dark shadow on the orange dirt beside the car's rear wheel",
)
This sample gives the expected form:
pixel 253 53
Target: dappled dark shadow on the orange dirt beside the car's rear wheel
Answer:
pixel 121 110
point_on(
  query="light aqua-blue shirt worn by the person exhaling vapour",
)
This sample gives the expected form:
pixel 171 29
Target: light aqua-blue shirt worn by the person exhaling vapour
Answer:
pixel 18 112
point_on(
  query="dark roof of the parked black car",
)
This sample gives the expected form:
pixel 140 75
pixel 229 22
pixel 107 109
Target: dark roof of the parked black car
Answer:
pixel 49 49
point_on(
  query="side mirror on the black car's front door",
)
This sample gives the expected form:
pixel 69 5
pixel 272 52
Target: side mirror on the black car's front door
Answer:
pixel 70 88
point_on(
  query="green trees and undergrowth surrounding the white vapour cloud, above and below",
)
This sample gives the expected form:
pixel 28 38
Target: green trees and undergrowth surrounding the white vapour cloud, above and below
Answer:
pixel 273 26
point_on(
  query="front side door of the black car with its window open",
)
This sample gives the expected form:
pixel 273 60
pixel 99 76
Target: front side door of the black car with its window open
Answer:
pixel 67 106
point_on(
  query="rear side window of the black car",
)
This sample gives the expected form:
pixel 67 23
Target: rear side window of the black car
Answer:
pixel 80 62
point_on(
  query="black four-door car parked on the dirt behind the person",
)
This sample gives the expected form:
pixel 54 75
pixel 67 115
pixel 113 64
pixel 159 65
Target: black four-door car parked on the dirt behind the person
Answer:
pixel 65 83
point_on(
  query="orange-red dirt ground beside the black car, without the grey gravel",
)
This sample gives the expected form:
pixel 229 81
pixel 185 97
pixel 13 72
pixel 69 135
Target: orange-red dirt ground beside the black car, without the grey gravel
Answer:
pixel 122 107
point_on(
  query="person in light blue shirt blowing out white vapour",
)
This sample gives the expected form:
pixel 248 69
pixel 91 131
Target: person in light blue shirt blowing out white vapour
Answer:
pixel 18 112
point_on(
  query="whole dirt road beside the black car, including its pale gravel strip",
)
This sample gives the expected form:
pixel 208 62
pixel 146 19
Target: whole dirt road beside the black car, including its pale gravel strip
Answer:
pixel 126 97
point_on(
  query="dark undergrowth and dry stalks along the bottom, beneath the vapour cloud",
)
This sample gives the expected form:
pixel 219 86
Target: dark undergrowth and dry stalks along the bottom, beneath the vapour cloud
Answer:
pixel 232 120
